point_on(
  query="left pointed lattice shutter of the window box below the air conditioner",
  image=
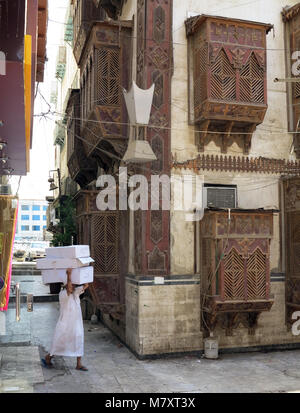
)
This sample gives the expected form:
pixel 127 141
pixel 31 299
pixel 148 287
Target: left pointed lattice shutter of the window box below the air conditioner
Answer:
pixel 234 276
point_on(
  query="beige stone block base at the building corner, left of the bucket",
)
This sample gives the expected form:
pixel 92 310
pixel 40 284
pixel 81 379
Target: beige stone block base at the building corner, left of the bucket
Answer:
pixel 163 318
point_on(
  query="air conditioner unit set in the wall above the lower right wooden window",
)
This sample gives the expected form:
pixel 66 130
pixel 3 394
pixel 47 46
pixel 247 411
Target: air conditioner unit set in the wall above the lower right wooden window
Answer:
pixel 220 197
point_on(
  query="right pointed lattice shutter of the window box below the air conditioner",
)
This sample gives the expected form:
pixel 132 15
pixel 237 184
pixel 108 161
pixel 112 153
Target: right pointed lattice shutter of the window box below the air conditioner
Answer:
pixel 256 275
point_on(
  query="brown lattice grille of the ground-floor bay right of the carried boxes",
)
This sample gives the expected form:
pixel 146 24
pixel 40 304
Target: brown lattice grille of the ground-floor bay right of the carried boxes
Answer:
pixel 105 242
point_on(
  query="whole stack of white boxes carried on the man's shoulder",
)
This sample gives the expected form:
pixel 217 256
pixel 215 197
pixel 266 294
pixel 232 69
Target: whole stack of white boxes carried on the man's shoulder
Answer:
pixel 59 259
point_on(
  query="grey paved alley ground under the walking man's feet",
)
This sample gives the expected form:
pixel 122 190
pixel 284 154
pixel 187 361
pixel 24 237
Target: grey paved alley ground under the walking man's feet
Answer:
pixel 114 369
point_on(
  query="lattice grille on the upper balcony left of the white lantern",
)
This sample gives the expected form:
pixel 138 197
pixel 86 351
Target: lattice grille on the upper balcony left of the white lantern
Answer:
pixel 108 76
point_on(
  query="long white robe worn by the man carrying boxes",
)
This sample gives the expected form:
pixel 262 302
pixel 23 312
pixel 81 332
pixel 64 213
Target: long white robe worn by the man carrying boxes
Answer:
pixel 68 337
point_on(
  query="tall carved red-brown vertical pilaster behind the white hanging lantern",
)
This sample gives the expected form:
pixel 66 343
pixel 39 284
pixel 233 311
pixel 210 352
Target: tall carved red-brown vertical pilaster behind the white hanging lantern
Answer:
pixel 154 64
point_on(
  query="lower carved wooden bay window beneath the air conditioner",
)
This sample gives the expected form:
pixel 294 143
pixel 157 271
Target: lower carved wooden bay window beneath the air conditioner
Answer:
pixel 235 274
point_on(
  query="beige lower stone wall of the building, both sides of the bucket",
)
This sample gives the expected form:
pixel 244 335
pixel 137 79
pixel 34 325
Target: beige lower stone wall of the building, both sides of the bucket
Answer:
pixel 166 319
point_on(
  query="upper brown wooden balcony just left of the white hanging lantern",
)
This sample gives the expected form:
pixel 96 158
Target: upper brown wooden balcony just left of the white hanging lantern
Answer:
pixel 105 70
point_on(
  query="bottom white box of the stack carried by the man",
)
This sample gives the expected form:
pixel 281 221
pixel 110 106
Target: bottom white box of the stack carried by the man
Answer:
pixel 79 276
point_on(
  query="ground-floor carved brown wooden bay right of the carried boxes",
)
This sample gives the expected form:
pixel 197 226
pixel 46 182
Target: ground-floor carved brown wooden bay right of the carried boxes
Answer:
pixel 107 234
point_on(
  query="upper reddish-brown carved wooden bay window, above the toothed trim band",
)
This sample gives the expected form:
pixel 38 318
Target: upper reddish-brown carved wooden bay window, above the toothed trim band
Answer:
pixel 228 78
